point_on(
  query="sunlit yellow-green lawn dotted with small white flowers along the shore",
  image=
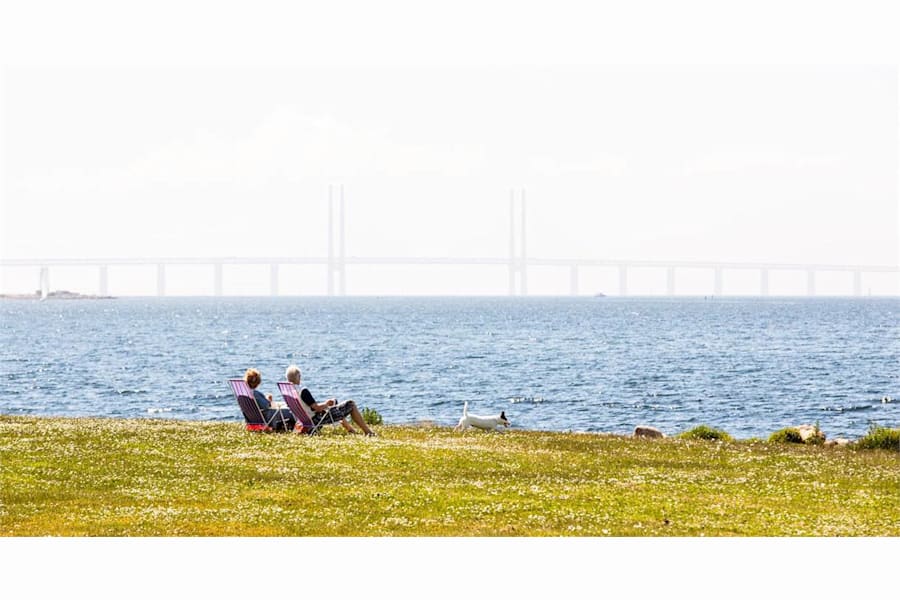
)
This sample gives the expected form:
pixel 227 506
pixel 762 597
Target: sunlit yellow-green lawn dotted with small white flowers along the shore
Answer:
pixel 142 477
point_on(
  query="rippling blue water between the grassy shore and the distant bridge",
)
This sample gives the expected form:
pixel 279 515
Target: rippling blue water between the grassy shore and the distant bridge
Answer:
pixel 749 366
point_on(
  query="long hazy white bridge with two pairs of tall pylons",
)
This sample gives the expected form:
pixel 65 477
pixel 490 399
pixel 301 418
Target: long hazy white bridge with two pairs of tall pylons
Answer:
pixel 517 263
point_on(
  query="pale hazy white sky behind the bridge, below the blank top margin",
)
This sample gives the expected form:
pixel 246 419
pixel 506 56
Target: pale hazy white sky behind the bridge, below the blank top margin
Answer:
pixel 738 162
